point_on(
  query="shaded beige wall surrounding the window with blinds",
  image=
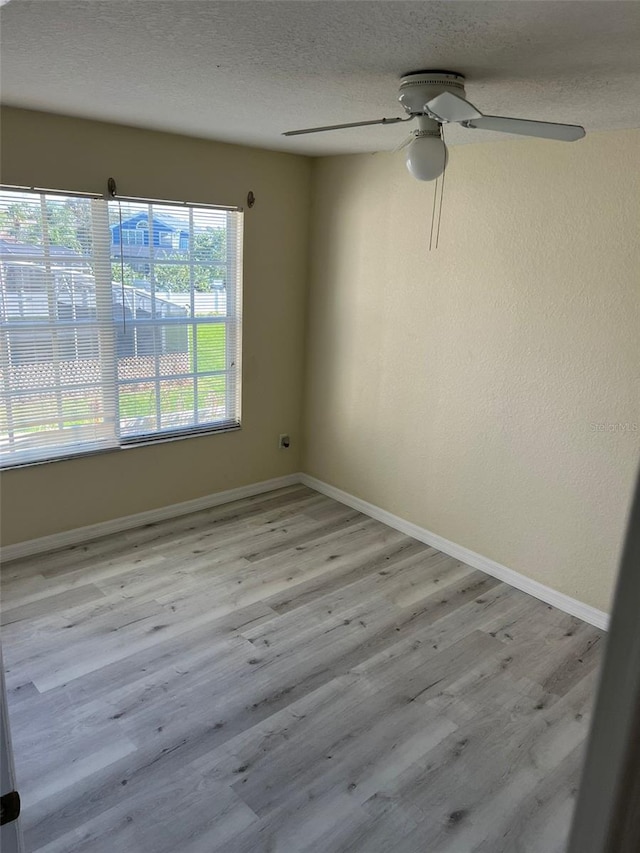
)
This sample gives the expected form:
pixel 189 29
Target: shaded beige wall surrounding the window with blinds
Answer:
pixel 61 153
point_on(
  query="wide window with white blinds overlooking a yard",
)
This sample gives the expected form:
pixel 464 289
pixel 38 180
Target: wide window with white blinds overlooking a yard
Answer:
pixel 119 322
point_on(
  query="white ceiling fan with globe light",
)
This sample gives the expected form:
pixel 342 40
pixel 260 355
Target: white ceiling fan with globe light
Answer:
pixel 436 98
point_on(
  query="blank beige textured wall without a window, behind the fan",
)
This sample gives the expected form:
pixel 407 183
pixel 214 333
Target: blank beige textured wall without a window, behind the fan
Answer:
pixel 458 388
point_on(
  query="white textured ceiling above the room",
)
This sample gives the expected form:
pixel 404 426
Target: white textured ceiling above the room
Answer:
pixel 245 71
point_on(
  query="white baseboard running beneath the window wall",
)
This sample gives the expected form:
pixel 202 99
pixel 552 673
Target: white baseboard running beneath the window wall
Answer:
pixel 139 519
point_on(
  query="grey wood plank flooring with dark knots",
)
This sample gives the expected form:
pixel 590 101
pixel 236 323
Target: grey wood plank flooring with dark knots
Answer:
pixel 285 675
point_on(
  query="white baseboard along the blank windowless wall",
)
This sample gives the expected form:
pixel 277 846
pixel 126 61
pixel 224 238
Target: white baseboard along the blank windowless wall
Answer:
pixel 550 596
